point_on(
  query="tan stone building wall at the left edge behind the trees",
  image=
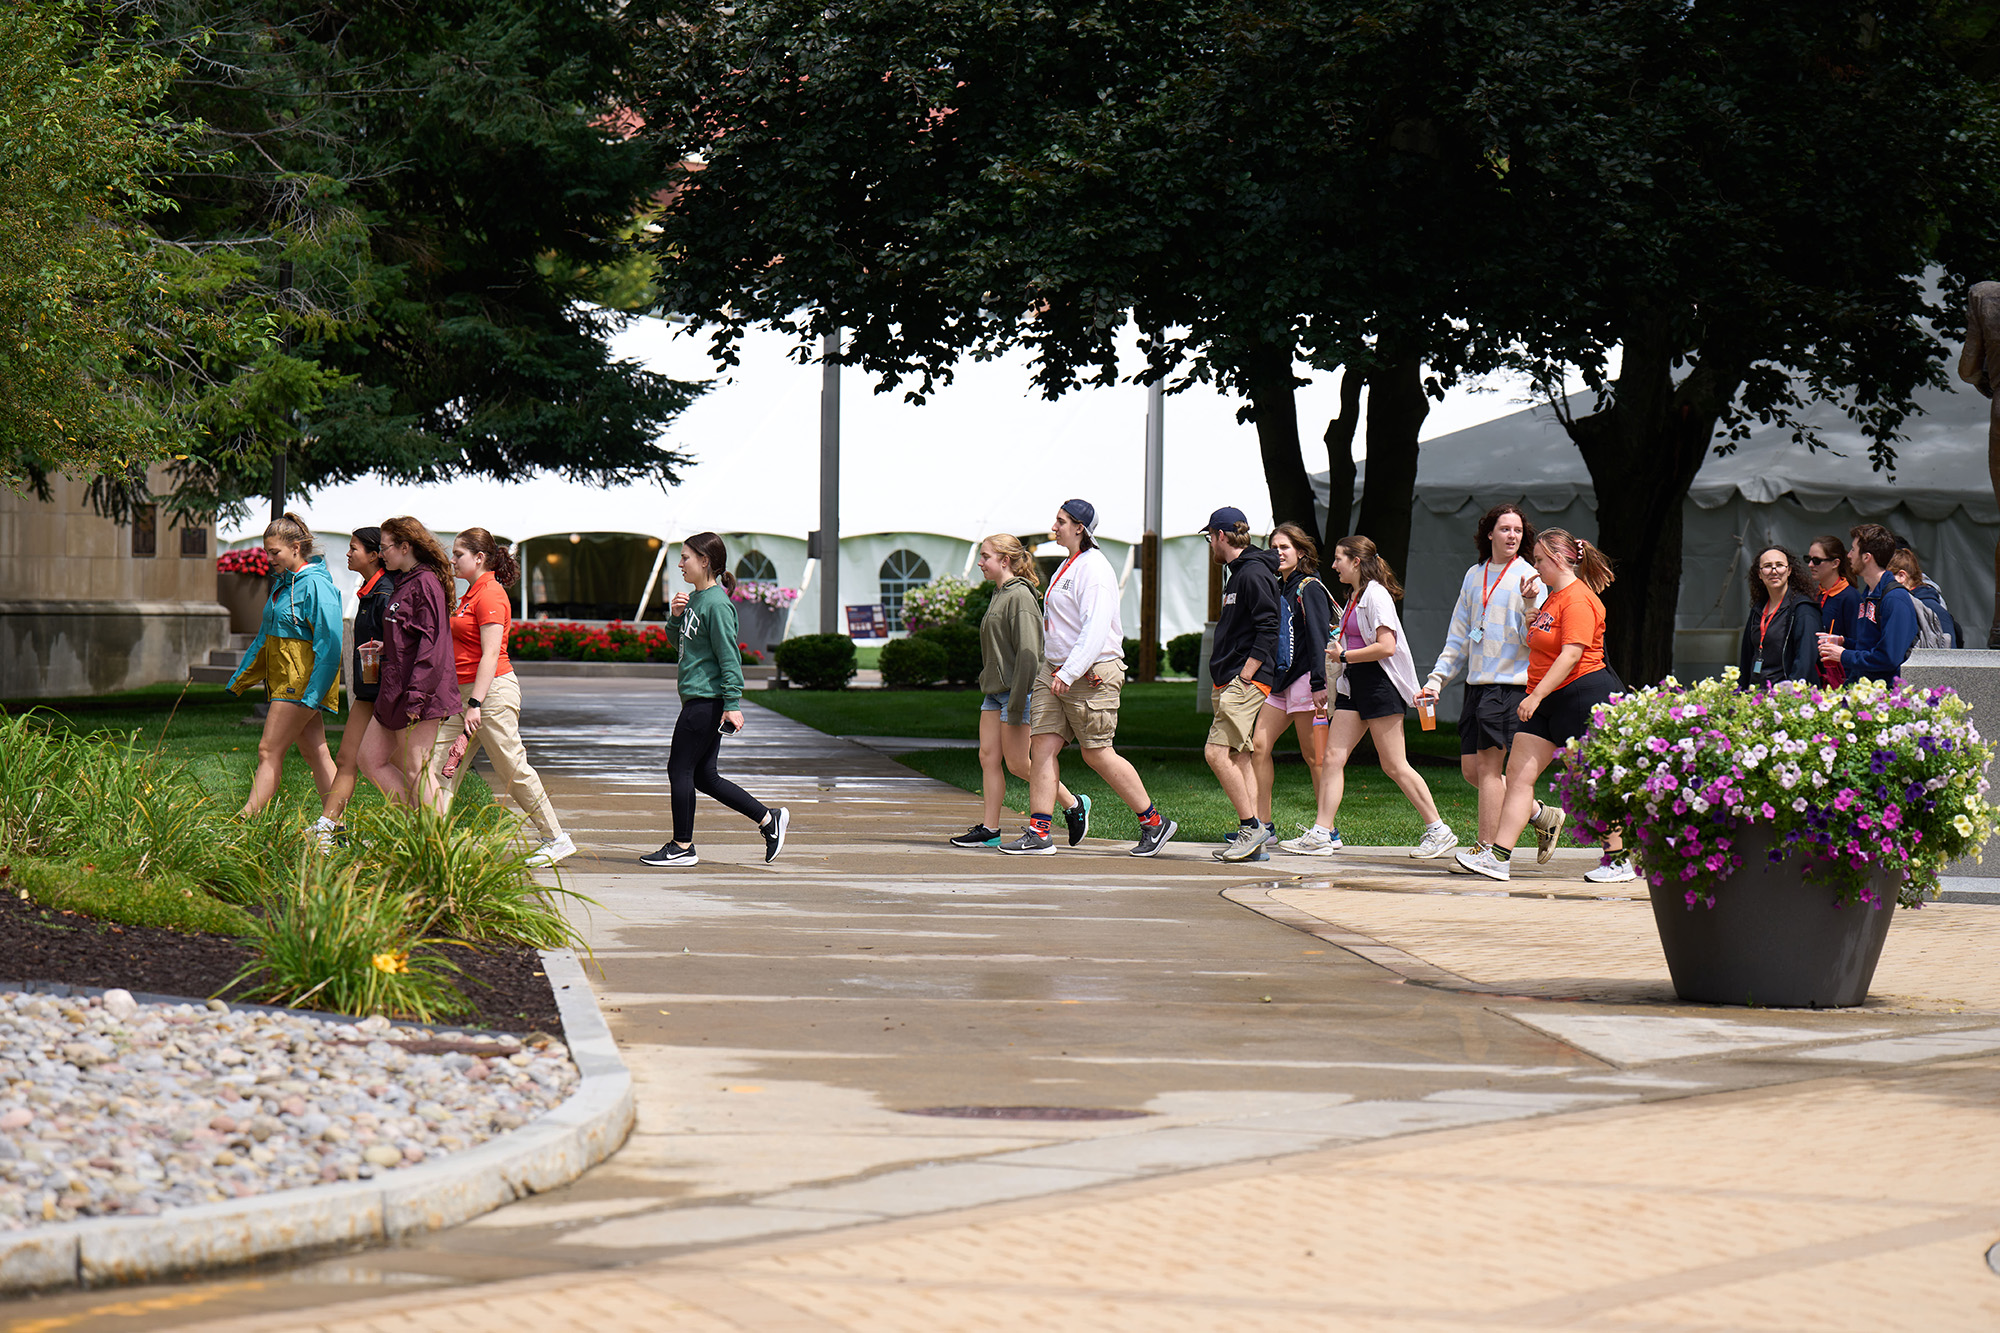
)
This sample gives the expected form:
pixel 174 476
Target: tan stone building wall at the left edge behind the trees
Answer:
pixel 89 605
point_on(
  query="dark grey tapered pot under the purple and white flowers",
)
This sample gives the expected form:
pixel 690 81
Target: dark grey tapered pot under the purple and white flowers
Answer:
pixel 1773 940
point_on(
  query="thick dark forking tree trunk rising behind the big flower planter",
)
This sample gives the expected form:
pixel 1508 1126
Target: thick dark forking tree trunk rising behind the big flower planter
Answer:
pixel 1643 453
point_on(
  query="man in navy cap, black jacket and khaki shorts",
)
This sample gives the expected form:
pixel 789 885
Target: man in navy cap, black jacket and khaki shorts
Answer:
pixel 1243 668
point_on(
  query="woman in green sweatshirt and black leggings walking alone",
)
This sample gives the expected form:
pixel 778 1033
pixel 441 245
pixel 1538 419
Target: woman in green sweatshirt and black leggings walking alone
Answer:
pixel 703 625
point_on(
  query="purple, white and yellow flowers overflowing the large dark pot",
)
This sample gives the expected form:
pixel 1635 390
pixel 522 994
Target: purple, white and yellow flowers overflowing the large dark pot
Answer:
pixel 1851 782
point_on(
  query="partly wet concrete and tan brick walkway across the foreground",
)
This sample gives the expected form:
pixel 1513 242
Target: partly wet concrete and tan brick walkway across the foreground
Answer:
pixel 1353 1094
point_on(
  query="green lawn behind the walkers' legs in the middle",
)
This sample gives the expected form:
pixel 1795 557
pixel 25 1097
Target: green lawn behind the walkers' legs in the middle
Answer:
pixel 1163 736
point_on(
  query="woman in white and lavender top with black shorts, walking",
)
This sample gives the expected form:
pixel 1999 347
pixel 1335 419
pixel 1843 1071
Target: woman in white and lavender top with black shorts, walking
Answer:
pixel 1377 688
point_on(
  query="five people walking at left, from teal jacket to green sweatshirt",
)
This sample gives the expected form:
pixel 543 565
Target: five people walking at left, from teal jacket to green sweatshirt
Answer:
pixel 431 684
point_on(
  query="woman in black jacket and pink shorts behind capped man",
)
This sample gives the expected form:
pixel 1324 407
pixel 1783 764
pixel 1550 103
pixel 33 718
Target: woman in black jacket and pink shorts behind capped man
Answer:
pixel 1299 696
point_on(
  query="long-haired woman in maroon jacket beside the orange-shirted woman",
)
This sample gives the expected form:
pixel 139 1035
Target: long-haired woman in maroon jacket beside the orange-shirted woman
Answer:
pixel 419 678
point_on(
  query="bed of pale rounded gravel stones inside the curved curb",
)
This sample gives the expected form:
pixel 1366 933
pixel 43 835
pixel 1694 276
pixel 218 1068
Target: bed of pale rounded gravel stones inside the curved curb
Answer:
pixel 121 1110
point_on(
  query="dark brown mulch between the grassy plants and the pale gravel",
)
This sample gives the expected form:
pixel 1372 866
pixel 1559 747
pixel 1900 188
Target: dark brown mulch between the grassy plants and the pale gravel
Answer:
pixel 45 944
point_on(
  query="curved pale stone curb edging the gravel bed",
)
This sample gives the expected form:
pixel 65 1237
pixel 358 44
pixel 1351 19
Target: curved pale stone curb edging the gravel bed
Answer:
pixel 555 1150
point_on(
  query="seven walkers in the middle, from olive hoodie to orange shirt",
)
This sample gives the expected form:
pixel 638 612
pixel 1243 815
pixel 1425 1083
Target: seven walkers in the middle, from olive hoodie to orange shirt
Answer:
pixel 1289 653
